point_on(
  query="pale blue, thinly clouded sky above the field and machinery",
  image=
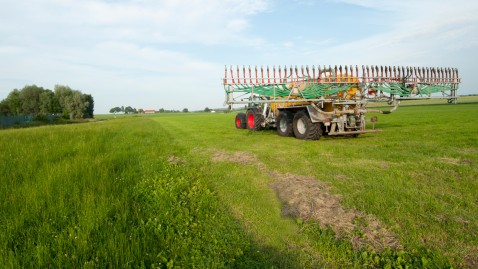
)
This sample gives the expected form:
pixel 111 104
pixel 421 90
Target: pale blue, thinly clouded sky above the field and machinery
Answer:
pixel 171 54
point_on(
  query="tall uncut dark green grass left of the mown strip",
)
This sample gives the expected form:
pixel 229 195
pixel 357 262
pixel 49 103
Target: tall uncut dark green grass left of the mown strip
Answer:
pixel 104 195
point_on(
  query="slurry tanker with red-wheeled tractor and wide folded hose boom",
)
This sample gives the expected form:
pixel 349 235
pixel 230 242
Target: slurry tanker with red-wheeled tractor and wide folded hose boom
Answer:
pixel 310 102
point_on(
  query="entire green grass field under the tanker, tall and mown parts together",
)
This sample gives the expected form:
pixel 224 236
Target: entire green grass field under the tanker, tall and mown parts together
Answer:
pixel 184 190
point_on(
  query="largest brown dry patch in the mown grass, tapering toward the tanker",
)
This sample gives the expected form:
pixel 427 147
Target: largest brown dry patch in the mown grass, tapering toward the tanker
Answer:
pixel 310 199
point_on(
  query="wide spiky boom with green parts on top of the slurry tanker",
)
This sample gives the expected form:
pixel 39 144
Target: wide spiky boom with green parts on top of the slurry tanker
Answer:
pixel 374 83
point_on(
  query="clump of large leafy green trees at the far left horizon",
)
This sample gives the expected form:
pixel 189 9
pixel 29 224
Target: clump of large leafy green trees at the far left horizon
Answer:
pixel 37 102
